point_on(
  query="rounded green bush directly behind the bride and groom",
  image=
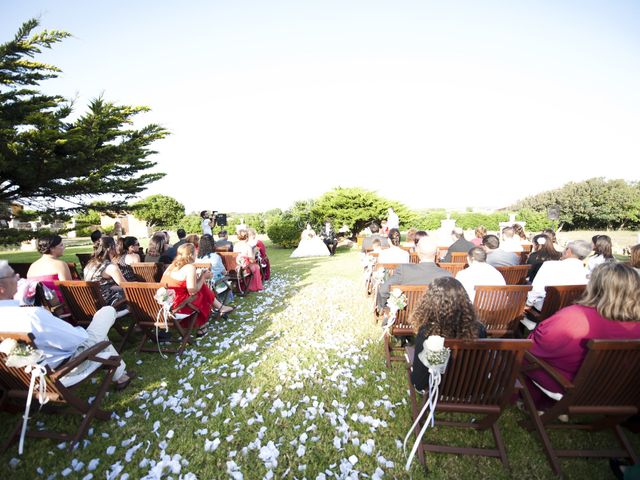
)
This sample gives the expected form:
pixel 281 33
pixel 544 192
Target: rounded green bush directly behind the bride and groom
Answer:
pixel 355 207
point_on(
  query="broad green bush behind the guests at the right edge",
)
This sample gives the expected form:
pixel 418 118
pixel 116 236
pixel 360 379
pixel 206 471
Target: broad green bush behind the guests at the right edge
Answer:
pixel 596 203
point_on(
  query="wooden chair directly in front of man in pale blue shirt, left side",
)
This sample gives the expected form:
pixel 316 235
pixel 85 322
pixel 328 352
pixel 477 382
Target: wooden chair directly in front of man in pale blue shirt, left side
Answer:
pixel 82 300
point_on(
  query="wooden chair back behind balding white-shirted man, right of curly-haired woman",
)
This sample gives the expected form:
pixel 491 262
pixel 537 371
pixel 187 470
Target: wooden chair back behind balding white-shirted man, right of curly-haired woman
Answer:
pixel 500 308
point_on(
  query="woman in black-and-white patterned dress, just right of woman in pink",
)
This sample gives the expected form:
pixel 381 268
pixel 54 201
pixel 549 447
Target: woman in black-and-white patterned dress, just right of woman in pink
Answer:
pixel 100 268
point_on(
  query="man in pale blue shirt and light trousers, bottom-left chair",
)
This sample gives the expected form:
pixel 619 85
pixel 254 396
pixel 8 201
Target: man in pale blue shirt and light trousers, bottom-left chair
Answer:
pixel 57 339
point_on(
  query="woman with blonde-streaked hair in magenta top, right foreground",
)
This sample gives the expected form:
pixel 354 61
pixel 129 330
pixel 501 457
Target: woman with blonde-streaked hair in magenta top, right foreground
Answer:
pixel 608 310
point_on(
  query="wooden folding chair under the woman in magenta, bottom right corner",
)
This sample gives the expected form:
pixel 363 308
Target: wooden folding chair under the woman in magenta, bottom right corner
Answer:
pixel 605 389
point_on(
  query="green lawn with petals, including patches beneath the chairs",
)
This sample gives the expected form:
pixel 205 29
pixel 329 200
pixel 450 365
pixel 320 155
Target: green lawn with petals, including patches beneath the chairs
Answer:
pixel 293 384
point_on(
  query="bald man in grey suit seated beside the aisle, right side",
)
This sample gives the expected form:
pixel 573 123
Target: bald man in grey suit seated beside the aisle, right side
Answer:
pixel 422 273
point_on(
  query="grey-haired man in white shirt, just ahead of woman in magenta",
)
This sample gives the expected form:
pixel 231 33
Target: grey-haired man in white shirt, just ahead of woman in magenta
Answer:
pixel 569 270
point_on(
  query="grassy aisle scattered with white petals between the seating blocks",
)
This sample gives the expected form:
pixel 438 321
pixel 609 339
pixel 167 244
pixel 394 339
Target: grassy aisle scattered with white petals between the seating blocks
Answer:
pixel 283 390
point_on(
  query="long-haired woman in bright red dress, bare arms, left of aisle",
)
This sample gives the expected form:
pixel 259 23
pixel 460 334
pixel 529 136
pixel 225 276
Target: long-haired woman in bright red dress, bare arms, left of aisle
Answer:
pixel 186 281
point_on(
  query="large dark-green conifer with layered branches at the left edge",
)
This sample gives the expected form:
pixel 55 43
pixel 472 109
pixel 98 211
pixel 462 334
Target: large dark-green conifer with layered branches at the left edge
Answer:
pixel 44 158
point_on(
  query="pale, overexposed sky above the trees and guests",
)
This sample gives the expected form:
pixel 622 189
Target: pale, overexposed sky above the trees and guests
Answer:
pixel 460 104
